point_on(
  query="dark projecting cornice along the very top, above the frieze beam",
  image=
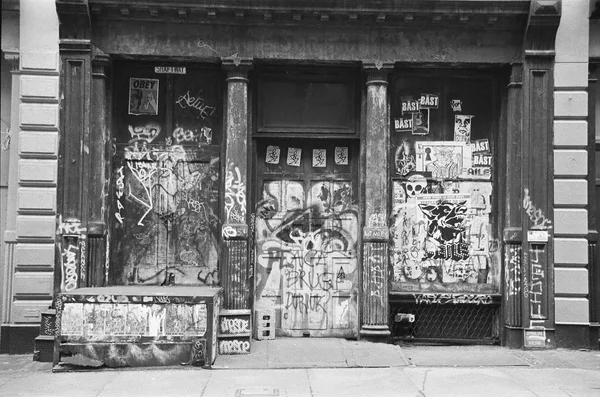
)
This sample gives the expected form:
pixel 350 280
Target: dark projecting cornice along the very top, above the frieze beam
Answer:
pixel 488 14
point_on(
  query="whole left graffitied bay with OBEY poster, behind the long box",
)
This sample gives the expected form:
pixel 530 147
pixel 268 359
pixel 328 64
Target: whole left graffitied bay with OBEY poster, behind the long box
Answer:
pixel 165 176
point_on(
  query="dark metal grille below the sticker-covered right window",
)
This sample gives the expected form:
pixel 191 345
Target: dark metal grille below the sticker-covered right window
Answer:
pixel 447 323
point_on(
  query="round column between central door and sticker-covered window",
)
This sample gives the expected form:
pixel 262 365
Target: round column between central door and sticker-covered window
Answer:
pixel 374 324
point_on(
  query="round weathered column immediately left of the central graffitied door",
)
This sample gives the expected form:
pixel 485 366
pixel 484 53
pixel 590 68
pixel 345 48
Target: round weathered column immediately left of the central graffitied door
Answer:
pixel 235 270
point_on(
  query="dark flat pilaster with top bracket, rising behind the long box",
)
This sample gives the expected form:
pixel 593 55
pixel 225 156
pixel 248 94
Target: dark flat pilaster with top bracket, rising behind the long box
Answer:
pixel 73 162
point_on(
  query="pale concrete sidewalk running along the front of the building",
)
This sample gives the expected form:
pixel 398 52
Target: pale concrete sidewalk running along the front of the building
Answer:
pixel 329 367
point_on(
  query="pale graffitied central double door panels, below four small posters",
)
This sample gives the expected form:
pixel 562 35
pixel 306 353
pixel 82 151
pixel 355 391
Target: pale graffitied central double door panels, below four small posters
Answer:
pixel 306 259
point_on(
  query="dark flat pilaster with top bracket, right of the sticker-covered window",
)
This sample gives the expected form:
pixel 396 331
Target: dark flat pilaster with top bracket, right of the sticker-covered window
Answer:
pixel 537 195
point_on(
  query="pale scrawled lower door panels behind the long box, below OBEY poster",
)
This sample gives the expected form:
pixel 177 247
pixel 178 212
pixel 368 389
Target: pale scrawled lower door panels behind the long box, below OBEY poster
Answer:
pixel 166 206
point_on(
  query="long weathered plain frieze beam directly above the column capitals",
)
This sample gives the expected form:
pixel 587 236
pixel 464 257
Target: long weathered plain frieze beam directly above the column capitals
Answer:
pixel 210 42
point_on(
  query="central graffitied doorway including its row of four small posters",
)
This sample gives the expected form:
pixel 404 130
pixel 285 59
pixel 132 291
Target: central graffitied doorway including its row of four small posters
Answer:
pixel 306 236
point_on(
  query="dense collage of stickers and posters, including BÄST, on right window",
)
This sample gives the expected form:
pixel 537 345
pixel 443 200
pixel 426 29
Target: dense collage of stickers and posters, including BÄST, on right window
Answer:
pixel 441 198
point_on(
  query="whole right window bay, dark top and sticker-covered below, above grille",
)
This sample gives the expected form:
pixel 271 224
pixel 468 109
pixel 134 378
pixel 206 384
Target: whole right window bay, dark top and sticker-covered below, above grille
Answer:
pixel 444 220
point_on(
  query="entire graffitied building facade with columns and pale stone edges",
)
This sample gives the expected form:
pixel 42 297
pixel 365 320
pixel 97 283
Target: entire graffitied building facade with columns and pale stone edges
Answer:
pixel 398 171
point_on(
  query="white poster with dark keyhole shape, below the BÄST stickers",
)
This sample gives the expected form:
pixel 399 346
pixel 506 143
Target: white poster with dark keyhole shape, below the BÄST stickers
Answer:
pixel 445 160
